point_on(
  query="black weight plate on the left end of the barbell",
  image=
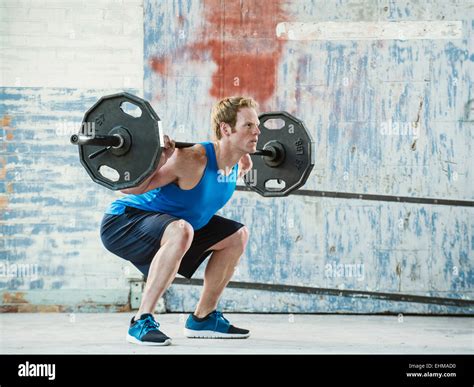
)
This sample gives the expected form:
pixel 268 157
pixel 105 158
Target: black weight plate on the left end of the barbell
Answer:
pixel 134 166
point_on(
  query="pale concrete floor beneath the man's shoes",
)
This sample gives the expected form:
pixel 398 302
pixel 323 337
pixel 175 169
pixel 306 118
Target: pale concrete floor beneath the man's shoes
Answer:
pixel 319 334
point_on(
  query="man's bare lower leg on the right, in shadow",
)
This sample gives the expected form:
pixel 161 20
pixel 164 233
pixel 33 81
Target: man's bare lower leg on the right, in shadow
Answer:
pixel 220 269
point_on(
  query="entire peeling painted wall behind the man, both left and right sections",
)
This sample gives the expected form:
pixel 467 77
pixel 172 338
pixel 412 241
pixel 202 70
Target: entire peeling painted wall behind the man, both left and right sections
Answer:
pixel 352 91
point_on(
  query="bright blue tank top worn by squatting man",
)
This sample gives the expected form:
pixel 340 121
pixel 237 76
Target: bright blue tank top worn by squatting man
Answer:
pixel 197 205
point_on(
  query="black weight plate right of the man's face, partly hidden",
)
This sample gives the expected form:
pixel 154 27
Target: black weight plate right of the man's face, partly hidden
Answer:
pixel 299 156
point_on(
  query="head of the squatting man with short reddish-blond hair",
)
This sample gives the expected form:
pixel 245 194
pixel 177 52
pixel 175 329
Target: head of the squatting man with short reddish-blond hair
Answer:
pixel 235 119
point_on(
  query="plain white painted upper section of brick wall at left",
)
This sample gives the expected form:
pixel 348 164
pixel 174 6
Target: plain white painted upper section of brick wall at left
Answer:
pixel 71 44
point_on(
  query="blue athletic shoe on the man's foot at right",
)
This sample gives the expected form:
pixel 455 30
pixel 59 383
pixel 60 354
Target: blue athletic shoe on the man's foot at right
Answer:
pixel 213 326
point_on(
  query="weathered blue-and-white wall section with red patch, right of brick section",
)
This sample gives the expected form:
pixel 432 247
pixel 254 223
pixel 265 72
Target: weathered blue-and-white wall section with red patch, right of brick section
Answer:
pixel 386 89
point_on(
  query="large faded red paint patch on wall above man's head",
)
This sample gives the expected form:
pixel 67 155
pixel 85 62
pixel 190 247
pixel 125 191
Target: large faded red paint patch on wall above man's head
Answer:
pixel 240 38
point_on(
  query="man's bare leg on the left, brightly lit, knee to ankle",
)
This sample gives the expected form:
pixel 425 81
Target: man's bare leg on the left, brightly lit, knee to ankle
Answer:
pixel 175 242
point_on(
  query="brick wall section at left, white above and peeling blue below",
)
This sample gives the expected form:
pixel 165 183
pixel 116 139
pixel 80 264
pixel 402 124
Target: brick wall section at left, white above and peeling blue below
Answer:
pixel 58 58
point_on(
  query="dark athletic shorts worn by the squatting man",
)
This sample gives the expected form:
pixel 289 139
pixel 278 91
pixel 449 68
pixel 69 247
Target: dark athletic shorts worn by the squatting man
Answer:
pixel 136 236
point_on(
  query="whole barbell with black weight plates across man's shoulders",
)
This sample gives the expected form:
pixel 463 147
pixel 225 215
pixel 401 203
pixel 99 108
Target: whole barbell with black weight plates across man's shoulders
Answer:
pixel 120 144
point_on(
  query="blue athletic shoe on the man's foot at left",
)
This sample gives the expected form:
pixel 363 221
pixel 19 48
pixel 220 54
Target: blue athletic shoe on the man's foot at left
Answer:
pixel 145 332
